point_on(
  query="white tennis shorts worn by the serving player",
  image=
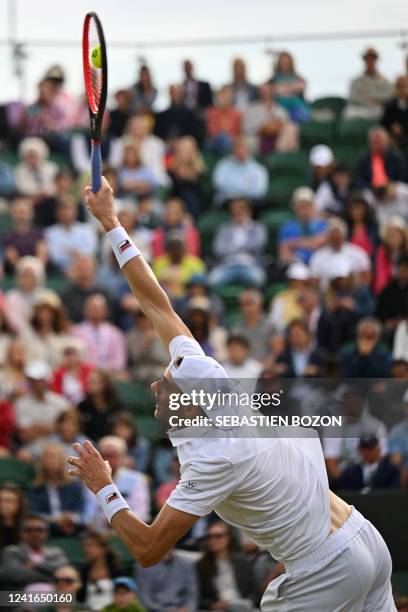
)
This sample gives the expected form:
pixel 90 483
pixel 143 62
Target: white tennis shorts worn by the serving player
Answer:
pixel 350 572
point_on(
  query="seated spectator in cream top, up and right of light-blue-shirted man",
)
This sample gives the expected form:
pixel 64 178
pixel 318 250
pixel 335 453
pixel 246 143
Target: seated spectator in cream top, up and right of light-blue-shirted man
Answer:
pixel 267 126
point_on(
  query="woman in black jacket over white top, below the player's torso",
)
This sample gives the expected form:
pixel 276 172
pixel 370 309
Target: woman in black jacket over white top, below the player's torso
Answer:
pixel 226 578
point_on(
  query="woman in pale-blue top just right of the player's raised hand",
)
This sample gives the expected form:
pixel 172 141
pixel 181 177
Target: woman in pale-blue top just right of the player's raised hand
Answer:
pixel 134 178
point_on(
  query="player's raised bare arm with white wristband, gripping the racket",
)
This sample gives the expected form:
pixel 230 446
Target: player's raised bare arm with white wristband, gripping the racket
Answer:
pixel 143 283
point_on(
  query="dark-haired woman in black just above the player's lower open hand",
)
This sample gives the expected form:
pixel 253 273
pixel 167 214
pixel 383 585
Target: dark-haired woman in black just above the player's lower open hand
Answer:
pixel 99 406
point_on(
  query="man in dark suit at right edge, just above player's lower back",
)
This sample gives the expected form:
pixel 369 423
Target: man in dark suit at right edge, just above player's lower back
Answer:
pixel 373 471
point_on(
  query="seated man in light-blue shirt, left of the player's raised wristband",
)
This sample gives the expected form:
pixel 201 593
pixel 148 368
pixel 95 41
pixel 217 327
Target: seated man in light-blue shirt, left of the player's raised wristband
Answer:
pixel 69 237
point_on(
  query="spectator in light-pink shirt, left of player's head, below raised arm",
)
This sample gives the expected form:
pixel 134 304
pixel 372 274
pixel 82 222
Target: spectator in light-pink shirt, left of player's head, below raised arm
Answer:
pixel 105 343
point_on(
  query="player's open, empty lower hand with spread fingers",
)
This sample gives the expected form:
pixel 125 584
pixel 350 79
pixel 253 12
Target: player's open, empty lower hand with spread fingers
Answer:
pixel 90 467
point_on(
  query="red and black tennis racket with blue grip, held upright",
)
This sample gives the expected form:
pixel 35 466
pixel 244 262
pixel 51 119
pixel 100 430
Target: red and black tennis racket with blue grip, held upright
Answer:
pixel 96 84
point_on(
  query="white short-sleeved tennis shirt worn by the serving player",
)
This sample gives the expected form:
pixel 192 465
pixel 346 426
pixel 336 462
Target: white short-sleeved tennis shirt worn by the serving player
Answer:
pixel 274 489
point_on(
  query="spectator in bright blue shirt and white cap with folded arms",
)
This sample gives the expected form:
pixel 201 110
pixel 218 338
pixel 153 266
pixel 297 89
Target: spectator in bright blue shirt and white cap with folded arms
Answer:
pixel 299 238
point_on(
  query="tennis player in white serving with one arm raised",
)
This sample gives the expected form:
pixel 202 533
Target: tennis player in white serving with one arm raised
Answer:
pixel 274 489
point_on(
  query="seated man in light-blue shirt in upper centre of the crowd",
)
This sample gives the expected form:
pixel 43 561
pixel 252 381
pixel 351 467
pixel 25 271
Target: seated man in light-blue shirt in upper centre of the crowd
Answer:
pixel 239 175
